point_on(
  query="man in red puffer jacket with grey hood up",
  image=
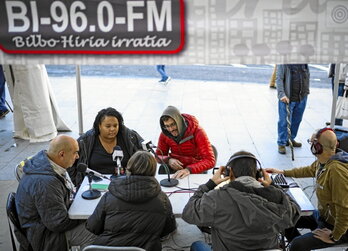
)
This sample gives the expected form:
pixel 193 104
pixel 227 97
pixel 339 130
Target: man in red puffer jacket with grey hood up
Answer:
pixel 183 144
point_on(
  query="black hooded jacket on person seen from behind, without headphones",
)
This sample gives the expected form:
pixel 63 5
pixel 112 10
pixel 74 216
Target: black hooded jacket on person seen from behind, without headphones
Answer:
pixel 135 212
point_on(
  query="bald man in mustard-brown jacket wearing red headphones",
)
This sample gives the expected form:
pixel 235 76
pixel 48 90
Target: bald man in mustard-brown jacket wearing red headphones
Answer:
pixel 330 223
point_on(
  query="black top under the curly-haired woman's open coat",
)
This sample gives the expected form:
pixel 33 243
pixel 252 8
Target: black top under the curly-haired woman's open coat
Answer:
pixel 102 161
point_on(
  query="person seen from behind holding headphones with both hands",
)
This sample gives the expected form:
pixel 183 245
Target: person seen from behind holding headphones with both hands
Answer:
pixel 245 214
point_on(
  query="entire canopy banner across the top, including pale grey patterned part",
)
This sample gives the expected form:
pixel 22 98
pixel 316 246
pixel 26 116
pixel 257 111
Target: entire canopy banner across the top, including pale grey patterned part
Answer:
pixel 173 31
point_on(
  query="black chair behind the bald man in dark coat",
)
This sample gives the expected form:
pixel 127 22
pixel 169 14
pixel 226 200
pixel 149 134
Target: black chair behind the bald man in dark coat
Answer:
pixel 16 231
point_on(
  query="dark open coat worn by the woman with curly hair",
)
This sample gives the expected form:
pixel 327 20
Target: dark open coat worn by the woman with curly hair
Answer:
pixel 86 142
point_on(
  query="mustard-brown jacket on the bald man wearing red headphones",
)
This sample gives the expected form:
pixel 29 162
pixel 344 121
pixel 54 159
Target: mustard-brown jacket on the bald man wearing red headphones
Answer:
pixel 331 189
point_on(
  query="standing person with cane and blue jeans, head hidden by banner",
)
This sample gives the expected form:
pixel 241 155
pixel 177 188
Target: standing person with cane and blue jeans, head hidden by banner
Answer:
pixel 292 88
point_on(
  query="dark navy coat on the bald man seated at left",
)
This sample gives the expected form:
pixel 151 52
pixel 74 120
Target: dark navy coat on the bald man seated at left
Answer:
pixel 42 202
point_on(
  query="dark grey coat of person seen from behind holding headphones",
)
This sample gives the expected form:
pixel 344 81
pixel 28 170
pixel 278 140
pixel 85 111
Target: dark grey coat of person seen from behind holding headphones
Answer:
pixel 241 217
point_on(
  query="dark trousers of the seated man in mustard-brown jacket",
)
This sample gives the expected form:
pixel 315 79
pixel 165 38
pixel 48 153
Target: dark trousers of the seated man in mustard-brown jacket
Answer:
pixel 308 241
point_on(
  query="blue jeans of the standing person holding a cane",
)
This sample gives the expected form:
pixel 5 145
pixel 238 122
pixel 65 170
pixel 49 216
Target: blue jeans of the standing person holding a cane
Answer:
pixel 296 113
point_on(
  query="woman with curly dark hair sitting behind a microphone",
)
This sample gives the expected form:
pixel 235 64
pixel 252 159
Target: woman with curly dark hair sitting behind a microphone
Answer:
pixel 97 144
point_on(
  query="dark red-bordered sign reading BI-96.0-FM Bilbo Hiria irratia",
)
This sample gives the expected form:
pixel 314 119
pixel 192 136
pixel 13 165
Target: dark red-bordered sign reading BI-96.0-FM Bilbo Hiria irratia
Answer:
pixel 92 27
